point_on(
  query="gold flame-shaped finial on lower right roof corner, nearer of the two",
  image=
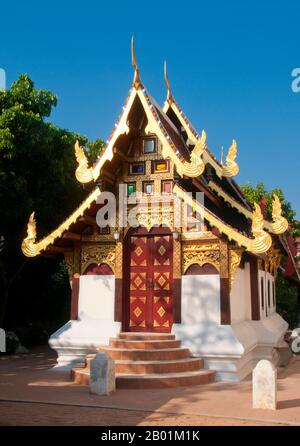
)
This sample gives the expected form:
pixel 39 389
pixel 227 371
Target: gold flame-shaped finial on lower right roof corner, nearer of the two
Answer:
pixel 262 241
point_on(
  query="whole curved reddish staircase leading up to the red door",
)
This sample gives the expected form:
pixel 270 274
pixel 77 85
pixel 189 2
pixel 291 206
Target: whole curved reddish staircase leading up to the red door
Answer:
pixel 149 361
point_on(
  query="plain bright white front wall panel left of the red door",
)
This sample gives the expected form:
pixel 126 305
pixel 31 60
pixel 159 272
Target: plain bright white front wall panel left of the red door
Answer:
pixel 96 297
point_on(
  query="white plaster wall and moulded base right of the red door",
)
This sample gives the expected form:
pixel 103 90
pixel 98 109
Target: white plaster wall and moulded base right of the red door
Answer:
pixel 231 350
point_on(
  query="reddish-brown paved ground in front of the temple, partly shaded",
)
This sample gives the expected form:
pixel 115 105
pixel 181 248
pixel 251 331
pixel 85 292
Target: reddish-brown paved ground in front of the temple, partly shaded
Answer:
pixel 33 394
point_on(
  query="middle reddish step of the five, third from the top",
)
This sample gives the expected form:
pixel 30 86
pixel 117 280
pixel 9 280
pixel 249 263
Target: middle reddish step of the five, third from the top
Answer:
pixel 147 354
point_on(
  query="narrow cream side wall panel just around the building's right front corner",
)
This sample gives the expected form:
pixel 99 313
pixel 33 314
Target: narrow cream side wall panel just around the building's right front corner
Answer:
pixel 240 295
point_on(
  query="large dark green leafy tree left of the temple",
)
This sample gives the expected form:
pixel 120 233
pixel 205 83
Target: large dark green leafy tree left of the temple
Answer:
pixel 37 166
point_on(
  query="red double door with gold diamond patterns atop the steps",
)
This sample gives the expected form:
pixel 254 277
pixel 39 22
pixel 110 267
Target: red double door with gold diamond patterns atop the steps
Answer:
pixel 150 283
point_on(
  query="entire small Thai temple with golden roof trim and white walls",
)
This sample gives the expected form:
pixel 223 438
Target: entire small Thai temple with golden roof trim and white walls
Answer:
pixel 160 284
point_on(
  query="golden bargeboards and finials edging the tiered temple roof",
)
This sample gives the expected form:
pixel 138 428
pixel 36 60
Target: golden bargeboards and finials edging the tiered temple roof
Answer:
pixel 190 155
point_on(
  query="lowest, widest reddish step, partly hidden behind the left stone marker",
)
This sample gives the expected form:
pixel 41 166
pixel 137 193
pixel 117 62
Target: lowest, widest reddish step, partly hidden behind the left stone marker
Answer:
pixel 151 381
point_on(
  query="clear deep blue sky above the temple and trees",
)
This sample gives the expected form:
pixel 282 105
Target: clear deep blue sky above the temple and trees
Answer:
pixel 229 64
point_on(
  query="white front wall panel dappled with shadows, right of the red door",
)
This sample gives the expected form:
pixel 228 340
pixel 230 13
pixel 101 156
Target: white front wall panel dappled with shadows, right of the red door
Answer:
pixel 200 298
